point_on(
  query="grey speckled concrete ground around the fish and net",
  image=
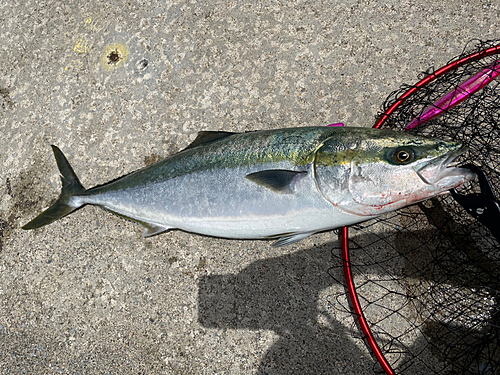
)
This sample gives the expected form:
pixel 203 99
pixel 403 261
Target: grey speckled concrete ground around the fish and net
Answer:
pixel 118 85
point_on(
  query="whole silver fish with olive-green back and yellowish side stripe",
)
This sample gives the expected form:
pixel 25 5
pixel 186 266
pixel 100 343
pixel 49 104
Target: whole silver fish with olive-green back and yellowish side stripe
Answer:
pixel 281 184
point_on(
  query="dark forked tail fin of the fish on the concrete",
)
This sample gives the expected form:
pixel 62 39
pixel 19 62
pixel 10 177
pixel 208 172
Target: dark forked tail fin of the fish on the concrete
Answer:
pixel 70 186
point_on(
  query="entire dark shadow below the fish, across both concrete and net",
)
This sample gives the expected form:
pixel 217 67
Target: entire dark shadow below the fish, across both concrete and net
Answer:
pixel 281 294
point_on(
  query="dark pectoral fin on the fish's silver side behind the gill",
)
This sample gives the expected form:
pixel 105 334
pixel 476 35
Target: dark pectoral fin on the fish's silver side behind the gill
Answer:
pixel 278 180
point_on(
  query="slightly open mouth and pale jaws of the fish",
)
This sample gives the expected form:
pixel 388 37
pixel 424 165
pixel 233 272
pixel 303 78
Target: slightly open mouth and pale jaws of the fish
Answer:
pixel 440 170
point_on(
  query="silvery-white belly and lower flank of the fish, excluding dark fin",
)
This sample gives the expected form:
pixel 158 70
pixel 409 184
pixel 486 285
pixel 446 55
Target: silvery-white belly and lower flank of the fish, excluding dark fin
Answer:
pixel 224 203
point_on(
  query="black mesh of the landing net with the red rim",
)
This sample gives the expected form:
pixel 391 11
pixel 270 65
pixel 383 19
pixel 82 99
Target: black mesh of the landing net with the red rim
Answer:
pixel 428 276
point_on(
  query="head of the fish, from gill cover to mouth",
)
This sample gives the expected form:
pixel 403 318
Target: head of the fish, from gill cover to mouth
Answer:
pixel 375 171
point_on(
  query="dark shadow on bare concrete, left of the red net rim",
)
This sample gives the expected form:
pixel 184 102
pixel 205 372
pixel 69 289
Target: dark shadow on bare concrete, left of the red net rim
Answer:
pixel 281 294
